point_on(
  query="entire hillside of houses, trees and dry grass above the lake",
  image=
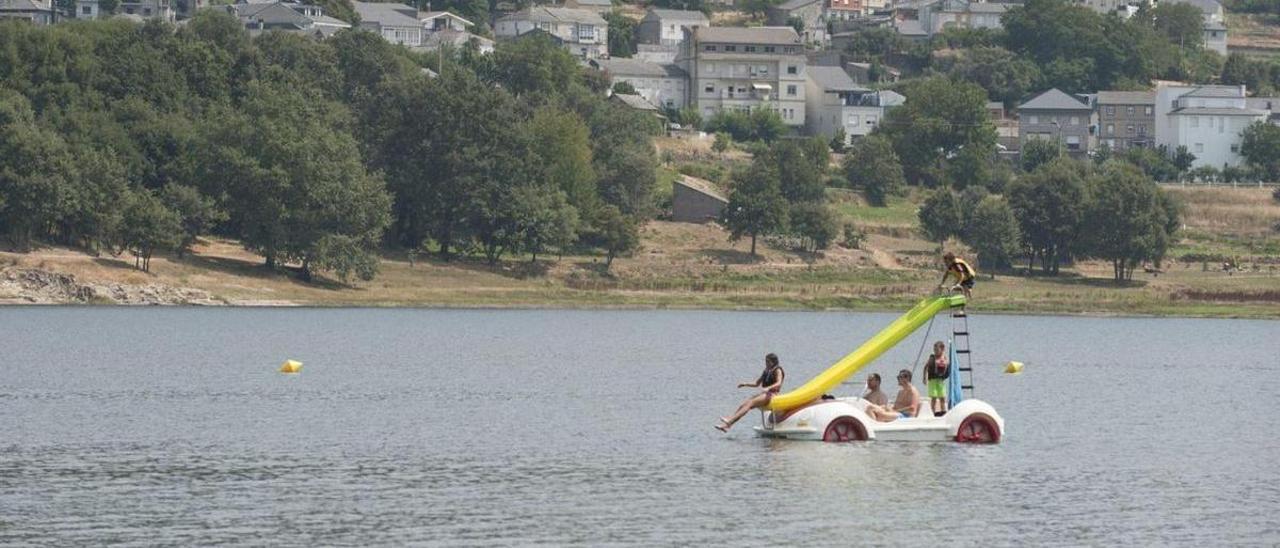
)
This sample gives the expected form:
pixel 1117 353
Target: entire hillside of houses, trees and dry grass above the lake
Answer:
pixel 848 139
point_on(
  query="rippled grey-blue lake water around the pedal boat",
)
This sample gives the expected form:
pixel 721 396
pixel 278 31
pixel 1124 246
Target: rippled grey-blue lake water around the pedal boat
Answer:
pixel 496 428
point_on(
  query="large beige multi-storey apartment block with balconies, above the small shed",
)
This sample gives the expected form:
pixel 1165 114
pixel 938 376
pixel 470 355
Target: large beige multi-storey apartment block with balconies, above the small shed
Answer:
pixel 746 70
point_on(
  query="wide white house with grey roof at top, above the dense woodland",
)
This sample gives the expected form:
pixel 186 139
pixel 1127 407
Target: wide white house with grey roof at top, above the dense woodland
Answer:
pixel 583 33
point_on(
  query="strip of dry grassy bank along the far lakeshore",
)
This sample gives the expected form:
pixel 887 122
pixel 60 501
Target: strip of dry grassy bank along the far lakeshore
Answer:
pixel 689 266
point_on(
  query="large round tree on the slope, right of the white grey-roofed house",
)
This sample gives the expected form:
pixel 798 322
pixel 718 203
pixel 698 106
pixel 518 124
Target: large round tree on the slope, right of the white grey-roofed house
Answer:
pixel 940 118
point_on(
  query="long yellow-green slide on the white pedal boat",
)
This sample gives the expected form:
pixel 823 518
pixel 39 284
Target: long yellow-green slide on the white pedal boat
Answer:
pixel 866 354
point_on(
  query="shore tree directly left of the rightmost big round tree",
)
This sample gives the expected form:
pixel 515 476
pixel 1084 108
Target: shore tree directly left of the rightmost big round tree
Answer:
pixel 1049 205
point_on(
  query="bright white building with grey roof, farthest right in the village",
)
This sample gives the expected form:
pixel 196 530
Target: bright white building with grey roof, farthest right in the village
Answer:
pixel 1209 121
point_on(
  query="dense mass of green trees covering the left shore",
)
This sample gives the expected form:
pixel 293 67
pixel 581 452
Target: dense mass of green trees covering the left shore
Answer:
pixel 143 138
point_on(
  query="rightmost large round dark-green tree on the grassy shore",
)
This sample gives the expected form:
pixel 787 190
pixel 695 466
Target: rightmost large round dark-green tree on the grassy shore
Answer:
pixel 1126 220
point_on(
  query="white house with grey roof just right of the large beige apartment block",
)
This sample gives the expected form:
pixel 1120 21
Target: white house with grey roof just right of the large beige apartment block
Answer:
pixel 834 102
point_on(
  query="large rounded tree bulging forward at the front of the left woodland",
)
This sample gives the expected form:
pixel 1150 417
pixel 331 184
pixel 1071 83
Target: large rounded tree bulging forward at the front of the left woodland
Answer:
pixel 292 179
